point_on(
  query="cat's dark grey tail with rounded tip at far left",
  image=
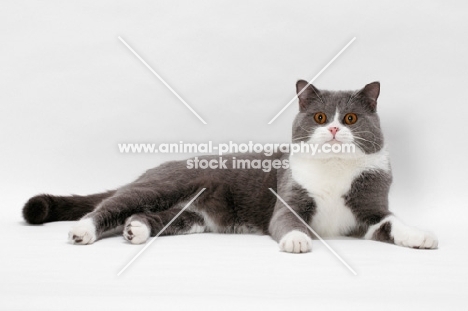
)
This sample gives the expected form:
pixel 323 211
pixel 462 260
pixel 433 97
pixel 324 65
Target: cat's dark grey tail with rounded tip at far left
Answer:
pixel 47 208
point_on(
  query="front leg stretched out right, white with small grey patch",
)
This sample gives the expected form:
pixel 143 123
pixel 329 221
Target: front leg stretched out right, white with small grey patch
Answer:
pixel 392 230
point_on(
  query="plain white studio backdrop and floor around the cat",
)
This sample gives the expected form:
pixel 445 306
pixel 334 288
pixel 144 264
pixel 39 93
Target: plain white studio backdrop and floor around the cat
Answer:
pixel 71 91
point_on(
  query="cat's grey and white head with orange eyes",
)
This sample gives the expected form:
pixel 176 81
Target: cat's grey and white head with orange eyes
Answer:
pixel 338 117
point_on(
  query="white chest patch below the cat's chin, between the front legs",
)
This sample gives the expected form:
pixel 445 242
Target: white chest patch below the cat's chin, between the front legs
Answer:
pixel 327 181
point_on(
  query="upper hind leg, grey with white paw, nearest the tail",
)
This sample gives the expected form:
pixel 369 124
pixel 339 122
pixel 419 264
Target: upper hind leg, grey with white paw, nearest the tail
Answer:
pixel 158 189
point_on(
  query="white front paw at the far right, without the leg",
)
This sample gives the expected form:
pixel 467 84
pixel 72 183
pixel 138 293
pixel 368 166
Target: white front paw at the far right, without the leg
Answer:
pixel 414 238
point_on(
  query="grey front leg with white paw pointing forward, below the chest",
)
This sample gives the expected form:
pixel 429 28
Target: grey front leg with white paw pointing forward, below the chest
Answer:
pixel 290 233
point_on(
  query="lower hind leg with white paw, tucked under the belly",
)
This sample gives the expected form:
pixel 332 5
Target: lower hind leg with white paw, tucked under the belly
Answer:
pixel 139 227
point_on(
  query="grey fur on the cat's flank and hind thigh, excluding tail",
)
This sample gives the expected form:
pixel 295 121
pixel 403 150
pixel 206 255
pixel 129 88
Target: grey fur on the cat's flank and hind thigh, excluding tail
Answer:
pixel 230 205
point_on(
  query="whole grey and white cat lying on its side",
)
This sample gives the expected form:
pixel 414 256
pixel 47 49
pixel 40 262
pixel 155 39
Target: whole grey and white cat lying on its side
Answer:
pixel 336 194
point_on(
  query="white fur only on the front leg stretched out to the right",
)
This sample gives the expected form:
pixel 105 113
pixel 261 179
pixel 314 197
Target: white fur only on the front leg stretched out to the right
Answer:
pixel 405 235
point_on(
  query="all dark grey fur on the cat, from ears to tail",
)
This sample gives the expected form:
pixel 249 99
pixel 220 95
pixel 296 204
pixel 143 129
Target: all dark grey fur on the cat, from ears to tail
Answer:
pixel 237 198
